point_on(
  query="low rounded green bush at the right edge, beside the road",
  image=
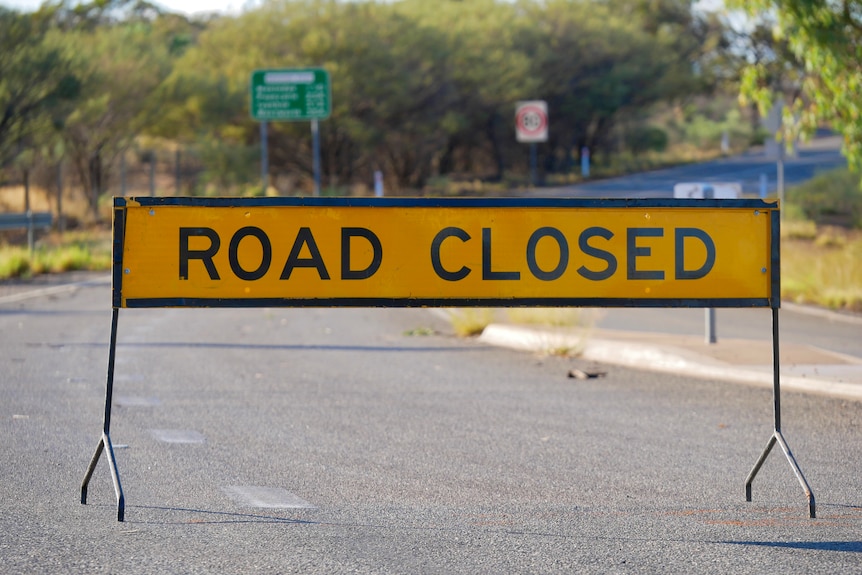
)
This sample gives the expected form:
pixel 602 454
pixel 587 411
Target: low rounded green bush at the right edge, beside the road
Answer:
pixel 833 197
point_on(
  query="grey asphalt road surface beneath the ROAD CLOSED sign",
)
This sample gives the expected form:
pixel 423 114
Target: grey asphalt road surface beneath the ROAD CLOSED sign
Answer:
pixel 346 441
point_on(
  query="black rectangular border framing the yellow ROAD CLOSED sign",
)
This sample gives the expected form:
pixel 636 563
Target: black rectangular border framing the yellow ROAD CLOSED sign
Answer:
pixel 223 202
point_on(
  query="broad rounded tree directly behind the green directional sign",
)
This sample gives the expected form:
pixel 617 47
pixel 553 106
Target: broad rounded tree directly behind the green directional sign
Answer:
pixel 392 92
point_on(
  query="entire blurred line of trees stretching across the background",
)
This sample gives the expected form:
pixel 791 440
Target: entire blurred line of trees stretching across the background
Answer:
pixel 422 91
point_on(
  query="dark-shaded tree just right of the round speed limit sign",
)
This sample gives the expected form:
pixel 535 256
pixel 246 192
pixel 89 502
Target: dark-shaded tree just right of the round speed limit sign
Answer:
pixel 604 65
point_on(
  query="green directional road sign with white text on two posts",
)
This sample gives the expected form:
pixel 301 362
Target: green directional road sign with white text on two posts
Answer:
pixel 290 95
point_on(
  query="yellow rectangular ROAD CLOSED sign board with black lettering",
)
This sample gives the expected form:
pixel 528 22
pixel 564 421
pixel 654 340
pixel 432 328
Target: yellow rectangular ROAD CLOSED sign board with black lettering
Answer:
pixel 243 252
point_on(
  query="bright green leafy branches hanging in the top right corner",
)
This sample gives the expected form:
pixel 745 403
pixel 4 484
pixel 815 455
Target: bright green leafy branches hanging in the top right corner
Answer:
pixel 826 36
